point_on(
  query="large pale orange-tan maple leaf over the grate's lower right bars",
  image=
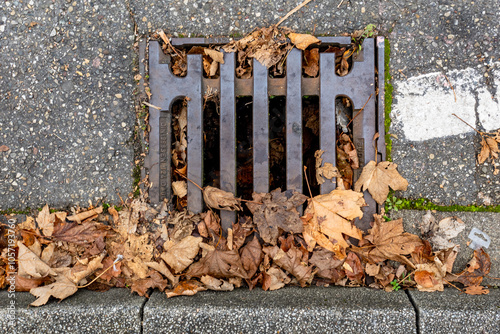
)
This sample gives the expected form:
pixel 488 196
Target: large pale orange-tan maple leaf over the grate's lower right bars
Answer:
pixel 328 217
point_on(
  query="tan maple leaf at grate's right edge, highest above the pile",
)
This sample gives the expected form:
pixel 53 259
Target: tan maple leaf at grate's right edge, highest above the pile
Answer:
pixel 377 178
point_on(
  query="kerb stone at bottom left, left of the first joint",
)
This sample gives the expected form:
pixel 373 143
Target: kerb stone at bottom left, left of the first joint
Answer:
pixel 113 311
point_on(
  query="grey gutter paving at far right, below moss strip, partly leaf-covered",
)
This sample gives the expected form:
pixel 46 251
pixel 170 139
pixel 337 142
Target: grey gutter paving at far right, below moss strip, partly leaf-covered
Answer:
pixel 488 222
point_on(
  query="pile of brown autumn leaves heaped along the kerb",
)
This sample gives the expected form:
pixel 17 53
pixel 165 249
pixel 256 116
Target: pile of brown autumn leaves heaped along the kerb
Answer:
pixel 181 253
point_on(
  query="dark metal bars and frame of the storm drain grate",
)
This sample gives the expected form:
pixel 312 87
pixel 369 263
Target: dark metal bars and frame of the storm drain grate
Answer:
pixel 358 85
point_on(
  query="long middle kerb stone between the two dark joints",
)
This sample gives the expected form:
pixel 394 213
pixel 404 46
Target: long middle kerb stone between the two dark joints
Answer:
pixel 288 310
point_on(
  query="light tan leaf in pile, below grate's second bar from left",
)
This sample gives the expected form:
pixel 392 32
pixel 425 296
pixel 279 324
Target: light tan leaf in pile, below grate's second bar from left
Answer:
pixel 179 255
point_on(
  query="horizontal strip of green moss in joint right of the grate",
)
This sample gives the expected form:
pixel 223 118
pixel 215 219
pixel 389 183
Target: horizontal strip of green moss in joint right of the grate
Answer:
pixel 426 204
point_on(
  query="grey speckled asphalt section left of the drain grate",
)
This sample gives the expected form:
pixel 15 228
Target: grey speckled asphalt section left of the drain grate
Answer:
pixel 67 115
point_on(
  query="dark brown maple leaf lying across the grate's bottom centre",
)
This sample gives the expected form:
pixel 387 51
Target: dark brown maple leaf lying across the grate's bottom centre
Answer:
pixel 278 211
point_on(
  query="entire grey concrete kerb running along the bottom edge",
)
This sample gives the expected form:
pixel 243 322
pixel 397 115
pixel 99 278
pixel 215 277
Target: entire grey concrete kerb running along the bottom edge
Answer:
pixel 289 310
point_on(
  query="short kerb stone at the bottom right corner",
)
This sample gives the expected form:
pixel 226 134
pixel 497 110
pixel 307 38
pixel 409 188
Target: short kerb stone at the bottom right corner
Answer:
pixel 453 312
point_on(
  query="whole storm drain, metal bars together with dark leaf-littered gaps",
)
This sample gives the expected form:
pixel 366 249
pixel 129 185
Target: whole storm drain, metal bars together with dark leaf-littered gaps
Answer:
pixel 254 129
